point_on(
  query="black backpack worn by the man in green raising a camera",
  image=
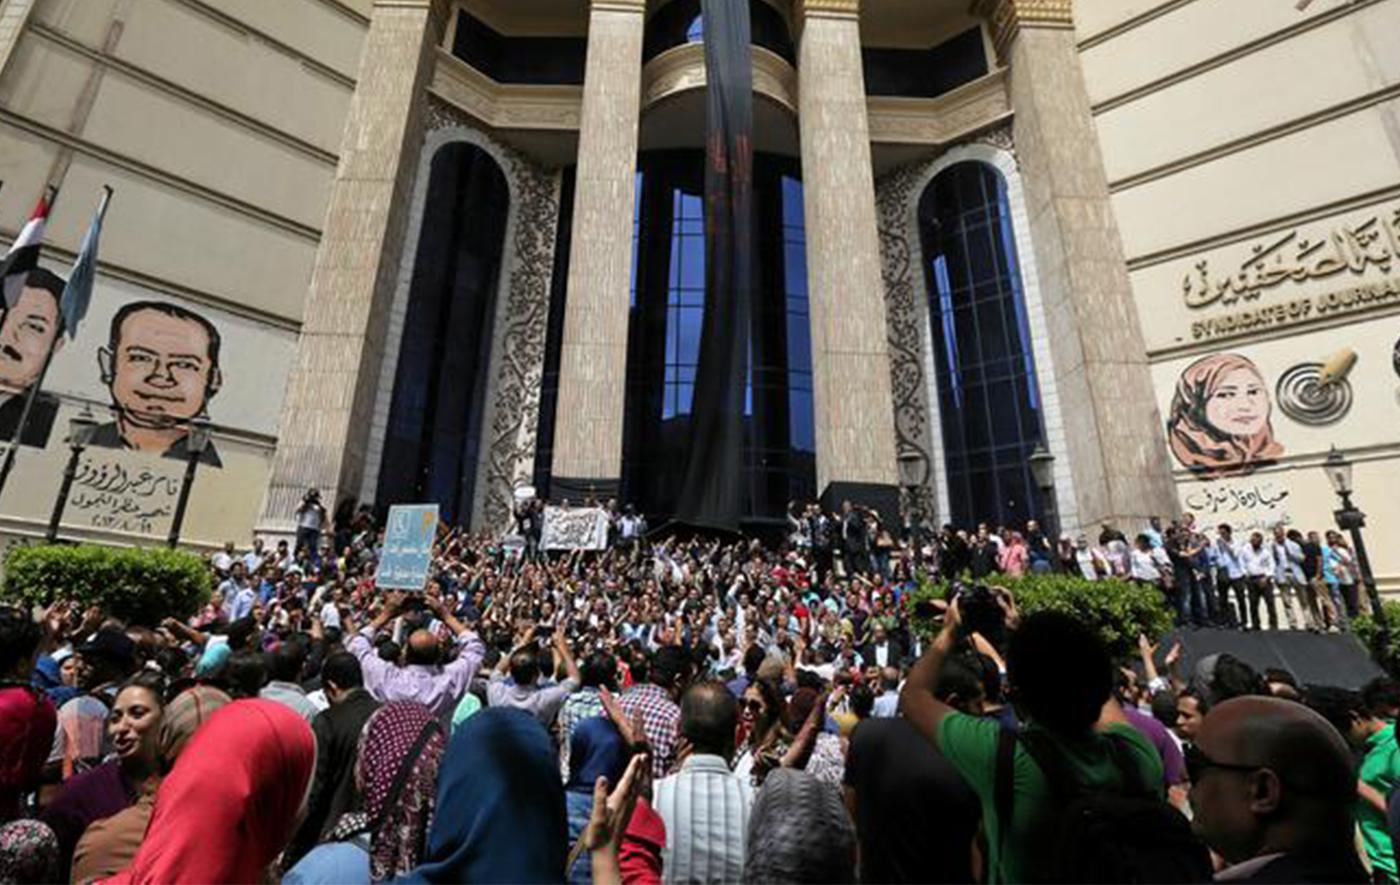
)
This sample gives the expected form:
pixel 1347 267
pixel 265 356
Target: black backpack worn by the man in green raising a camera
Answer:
pixel 1101 837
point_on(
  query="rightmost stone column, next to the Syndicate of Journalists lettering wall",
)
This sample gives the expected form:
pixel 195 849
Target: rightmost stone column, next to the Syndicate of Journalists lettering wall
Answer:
pixel 1114 432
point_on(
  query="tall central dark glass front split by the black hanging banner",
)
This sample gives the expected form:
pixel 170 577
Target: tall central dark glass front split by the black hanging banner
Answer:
pixel 664 338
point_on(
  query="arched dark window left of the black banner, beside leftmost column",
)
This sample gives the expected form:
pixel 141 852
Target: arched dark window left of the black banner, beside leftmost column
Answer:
pixel 435 438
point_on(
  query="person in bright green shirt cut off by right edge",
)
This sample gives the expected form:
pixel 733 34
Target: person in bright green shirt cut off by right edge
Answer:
pixel 1380 768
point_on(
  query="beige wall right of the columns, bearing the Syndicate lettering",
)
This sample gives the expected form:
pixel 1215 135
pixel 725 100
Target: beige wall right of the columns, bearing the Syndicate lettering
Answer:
pixel 1254 162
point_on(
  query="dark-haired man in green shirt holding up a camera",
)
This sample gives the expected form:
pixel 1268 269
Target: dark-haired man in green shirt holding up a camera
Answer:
pixel 1062 678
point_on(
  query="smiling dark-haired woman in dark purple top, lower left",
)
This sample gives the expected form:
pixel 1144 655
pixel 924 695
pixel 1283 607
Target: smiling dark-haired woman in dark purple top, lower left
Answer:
pixel 134 730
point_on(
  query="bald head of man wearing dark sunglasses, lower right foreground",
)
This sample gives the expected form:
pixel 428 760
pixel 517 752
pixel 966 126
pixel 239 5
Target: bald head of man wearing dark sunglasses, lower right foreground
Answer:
pixel 1270 775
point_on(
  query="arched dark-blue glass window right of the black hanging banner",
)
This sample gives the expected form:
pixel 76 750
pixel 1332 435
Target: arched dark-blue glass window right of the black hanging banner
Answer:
pixel 988 396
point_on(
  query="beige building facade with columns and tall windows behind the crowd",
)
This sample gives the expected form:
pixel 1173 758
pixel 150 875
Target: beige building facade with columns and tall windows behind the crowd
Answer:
pixel 457 247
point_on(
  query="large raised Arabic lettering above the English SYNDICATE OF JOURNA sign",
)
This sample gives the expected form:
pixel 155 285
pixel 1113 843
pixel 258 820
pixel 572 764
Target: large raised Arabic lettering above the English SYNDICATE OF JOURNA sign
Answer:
pixel 1294 258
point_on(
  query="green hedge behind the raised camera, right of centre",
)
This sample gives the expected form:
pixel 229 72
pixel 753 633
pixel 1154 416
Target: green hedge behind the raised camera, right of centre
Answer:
pixel 1121 611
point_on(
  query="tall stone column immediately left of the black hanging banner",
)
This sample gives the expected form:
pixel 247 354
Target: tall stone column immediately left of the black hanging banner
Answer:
pixel 593 366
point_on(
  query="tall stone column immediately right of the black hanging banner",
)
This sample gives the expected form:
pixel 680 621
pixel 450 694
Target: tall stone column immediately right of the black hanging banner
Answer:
pixel 846 298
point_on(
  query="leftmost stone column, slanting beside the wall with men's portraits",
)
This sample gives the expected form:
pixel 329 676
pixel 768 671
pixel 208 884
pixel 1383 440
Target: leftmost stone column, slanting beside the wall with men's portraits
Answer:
pixel 325 418
